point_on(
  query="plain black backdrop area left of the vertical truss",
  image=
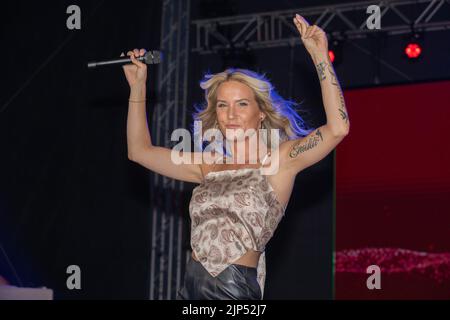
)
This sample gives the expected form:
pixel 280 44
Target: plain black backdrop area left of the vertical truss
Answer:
pixel 68 193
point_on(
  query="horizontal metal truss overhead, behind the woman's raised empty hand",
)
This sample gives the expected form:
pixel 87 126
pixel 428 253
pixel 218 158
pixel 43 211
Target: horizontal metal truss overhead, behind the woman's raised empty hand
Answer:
pixel 275 28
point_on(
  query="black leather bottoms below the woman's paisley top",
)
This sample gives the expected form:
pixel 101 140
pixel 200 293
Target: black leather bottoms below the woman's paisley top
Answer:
pixel 236 282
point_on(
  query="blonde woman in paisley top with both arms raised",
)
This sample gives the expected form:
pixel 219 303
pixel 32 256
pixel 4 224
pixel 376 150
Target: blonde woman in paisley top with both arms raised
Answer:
pixel 236 209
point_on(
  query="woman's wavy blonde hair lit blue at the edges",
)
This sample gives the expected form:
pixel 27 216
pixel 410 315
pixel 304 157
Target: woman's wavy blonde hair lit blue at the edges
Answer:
pixel 280 113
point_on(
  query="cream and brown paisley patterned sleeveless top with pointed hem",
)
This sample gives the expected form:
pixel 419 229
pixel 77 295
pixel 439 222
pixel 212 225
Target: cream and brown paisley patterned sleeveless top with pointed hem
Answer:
pixel 233 211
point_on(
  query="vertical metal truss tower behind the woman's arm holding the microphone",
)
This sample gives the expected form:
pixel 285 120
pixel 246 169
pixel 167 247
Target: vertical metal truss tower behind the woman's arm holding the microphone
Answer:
pixel 167 257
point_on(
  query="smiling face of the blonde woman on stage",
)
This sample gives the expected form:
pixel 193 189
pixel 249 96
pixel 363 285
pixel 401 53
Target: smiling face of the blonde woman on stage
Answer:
pixel 237 109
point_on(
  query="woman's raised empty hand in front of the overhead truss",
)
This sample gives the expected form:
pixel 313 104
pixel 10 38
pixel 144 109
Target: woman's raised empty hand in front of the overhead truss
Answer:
pixel 313 37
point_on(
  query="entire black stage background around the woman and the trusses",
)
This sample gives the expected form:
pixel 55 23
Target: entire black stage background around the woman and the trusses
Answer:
pixel 68 193
